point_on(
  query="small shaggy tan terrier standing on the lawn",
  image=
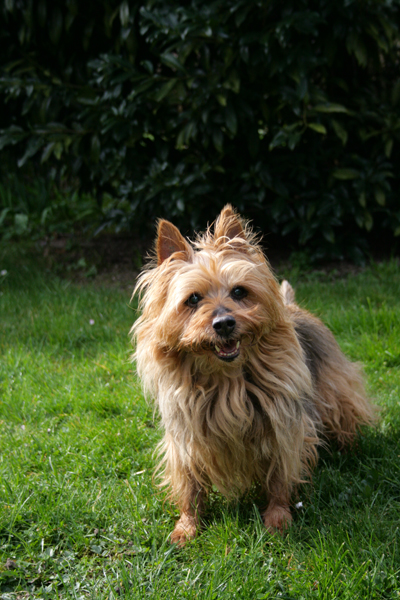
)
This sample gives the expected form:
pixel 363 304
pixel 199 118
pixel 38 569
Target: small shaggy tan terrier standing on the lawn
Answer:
pixel 246 382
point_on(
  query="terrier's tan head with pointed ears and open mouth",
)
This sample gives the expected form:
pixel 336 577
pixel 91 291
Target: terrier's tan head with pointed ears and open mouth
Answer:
pixel 213 298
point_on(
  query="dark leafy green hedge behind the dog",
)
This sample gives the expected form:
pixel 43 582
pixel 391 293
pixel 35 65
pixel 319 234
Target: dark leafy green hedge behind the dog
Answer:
pixel 289 110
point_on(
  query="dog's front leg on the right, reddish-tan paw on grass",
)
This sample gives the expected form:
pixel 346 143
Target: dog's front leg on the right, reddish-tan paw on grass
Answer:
pixel 276 516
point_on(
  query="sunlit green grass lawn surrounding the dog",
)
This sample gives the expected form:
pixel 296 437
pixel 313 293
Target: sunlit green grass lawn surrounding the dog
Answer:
pixel 79 515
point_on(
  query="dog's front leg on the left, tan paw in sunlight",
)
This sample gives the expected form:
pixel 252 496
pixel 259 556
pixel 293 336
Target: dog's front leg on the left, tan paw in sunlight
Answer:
pixel 191 505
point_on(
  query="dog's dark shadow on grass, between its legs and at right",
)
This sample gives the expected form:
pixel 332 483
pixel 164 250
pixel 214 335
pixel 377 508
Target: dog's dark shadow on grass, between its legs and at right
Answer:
pixel 354 485
